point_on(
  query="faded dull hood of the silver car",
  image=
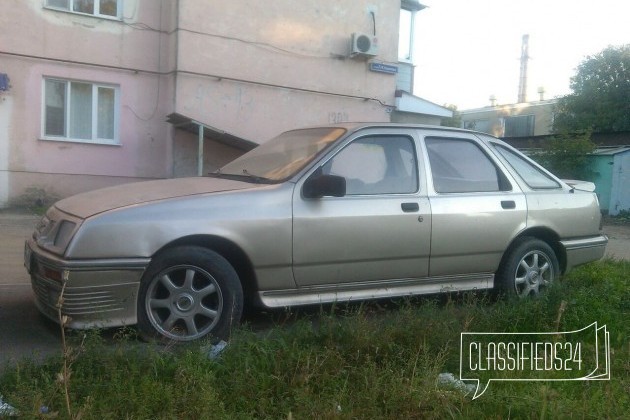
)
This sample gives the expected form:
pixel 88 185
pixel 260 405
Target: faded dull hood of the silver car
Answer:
pixel 98 201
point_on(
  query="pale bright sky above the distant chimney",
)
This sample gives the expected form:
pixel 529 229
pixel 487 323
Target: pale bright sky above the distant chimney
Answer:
pixel 467 50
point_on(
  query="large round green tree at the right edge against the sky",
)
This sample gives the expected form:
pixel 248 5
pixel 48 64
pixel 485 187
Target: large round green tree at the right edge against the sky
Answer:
pixel 601 94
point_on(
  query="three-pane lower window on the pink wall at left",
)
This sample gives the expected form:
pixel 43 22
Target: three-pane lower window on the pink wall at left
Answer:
pixel 80 111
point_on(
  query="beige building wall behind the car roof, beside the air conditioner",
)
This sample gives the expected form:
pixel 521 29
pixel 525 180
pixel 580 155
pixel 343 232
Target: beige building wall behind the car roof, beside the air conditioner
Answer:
pixel 257 69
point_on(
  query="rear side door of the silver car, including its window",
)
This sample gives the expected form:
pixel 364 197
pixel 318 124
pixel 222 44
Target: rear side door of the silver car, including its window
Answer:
pixel 477 207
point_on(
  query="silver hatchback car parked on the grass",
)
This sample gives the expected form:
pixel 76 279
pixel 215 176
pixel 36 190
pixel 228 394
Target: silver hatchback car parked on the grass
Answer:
pixel 339 213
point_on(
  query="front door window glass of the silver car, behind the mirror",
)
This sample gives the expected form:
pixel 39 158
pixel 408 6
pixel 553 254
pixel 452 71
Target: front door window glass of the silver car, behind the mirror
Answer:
pixel 376 165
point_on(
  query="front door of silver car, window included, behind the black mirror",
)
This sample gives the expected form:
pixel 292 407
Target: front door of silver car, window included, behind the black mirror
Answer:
pixel 381 228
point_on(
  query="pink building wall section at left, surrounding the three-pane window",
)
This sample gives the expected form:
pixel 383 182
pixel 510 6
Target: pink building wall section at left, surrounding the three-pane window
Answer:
pixel 39 42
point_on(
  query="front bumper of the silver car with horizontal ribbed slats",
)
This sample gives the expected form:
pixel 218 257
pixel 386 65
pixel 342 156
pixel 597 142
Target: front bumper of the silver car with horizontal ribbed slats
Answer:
pixel 98 293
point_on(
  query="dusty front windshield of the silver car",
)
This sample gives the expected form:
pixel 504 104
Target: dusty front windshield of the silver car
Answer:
pixel 281 157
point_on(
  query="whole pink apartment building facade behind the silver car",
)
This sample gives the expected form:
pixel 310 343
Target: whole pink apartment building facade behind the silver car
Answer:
pixel 101 92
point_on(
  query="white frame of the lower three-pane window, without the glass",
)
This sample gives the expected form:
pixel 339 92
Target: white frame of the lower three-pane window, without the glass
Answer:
pixel 94 138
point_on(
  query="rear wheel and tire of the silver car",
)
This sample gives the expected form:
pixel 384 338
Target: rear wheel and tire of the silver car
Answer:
pixel 529 266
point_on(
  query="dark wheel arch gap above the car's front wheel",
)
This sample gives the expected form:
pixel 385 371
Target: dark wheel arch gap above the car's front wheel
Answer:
pixel 231 252
